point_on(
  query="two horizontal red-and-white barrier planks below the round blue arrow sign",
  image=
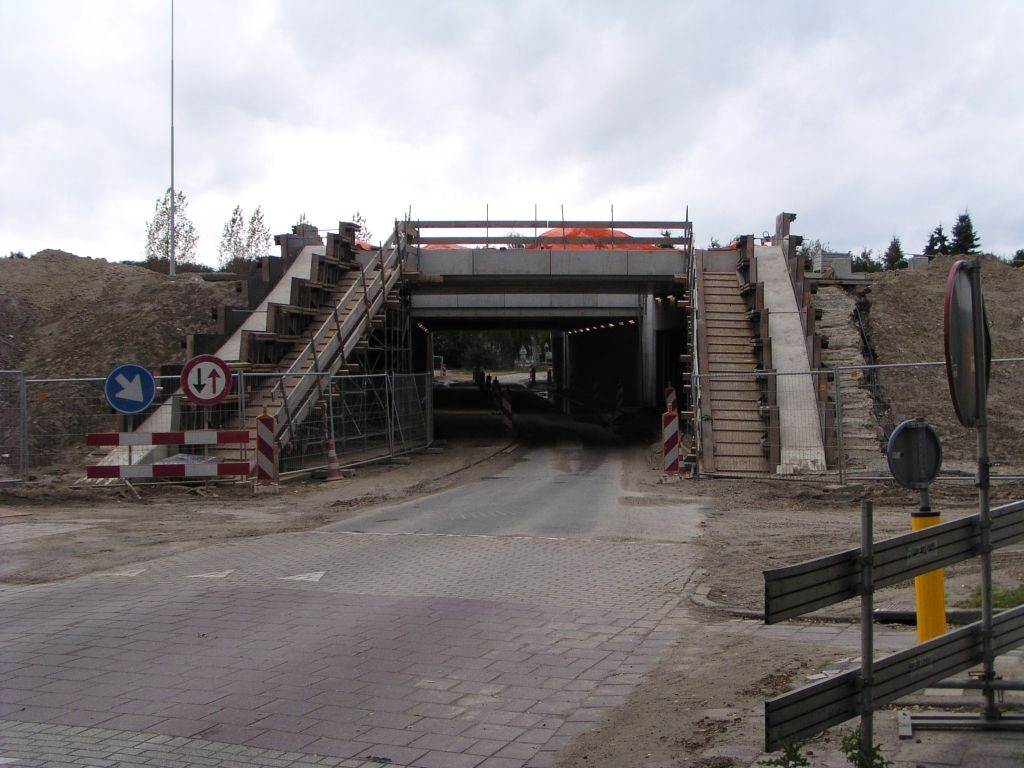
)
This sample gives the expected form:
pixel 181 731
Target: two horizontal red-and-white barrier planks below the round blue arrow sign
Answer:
pixel 145 472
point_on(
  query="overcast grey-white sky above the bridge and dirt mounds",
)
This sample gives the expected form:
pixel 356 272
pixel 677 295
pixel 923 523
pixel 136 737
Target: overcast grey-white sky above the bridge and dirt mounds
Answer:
pixel 865 119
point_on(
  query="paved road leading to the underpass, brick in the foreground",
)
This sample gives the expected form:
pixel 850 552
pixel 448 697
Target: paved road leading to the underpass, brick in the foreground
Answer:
pixel 346 649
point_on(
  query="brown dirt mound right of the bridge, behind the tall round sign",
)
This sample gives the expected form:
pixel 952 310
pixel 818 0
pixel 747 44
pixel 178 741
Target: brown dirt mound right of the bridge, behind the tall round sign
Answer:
pixel 905 322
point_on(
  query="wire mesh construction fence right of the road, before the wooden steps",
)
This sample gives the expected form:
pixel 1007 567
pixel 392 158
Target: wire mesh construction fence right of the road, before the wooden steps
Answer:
pixel 800 425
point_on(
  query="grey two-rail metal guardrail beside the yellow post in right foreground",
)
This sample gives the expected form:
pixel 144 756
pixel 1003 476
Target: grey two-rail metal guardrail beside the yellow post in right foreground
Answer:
pixel 800 589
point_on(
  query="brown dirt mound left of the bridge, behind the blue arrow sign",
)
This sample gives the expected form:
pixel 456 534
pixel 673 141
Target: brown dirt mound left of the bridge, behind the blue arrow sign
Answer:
pixel 68 317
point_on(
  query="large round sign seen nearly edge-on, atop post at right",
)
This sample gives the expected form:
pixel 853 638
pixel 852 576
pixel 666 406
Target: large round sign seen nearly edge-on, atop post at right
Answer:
pixel 958 331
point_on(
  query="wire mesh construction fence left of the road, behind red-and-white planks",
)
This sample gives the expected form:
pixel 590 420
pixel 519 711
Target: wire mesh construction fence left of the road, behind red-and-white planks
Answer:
pixel 45 422
